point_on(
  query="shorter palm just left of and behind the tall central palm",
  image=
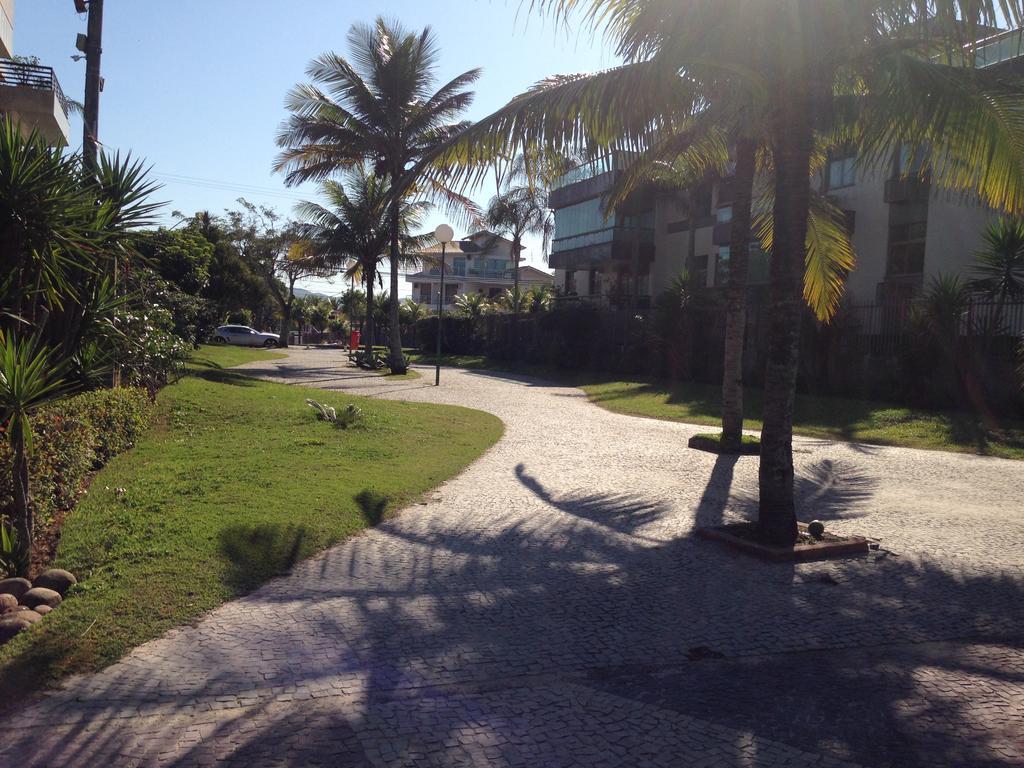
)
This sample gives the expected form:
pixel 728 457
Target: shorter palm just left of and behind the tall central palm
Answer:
pixel 353 233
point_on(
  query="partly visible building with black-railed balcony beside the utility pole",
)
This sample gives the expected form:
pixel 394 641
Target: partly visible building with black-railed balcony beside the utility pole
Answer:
pixel 30 94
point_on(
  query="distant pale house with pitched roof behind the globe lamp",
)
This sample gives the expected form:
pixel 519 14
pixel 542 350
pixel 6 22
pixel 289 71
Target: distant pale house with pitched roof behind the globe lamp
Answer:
pixel 481 264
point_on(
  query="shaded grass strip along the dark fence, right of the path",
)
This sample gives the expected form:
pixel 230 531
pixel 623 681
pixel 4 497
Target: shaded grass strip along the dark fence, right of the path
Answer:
pixel 816 416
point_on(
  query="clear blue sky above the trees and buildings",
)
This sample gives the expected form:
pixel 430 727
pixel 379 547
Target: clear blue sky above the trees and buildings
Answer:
pixel 197 88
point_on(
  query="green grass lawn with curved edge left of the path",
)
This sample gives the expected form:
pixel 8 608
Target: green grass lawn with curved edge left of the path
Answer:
pixel 235 483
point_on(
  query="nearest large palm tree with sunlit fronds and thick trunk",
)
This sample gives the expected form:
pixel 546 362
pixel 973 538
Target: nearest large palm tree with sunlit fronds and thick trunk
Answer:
pixel 880 75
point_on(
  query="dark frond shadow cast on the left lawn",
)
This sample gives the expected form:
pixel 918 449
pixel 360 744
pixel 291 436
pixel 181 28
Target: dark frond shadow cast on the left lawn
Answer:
pixel 257 553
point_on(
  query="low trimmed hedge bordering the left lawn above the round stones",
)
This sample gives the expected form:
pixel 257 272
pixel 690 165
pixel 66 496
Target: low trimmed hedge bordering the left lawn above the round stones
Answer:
pixel 70 440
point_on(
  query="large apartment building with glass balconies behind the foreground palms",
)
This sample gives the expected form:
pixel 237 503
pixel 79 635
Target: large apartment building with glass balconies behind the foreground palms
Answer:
pixel 905 232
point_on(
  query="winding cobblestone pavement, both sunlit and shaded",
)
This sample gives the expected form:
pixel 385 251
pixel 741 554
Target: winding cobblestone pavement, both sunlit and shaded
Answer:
pixel 550 608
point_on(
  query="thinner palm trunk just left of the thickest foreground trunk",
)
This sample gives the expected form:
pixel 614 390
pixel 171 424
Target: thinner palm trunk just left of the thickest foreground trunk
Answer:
pixel 736 313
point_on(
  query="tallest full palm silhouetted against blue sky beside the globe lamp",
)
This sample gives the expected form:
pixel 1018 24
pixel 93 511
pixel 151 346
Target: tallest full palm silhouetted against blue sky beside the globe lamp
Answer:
pixel 379 107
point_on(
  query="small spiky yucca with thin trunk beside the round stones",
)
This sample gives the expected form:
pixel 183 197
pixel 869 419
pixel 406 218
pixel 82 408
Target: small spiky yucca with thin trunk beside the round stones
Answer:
pixel 30 377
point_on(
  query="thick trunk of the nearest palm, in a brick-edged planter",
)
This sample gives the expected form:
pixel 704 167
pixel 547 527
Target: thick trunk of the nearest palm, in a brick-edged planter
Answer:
pixel 793 142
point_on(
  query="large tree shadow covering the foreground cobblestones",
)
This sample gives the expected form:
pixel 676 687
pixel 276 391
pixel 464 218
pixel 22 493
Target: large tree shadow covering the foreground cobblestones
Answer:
pixel 557 631
